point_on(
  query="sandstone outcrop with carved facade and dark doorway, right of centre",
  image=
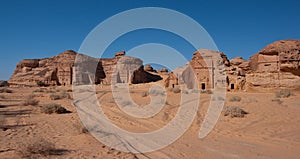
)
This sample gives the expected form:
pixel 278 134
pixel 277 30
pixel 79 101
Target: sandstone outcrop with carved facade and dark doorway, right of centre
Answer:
pixel 206 67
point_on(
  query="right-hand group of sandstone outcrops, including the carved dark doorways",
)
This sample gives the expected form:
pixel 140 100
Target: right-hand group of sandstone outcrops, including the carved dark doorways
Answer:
pixel 277 65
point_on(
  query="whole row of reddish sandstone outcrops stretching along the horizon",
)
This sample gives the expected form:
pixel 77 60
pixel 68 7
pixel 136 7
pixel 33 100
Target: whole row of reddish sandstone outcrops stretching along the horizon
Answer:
pixel 277 65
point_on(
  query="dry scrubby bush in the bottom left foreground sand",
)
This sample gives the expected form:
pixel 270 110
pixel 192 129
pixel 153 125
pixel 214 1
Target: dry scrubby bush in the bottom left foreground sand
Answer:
pixel 37 148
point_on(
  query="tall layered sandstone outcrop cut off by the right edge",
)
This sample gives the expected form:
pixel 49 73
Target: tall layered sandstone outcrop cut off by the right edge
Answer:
pixel 277 65
